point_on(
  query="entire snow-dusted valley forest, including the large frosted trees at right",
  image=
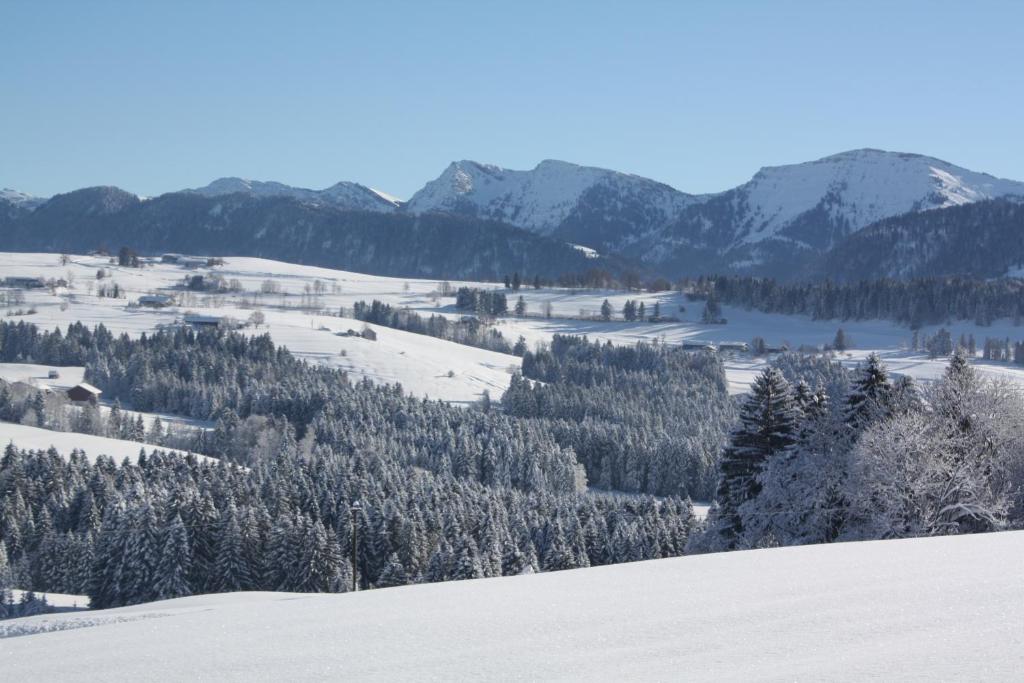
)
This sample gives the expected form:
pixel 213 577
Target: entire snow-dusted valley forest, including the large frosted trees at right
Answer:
pixel 590 458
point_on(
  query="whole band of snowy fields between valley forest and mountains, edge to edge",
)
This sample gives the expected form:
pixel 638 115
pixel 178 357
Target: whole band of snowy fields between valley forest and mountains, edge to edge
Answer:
pixel 421 364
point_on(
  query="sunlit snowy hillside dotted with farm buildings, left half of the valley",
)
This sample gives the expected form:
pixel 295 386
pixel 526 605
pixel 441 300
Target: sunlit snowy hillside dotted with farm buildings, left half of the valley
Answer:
pixel 423 366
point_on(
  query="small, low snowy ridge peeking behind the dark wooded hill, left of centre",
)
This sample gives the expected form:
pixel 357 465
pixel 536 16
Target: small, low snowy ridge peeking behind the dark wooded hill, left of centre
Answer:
pixel 348 196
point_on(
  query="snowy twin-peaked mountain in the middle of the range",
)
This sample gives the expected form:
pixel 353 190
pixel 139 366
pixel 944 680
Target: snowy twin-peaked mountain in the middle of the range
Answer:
pixel 590 206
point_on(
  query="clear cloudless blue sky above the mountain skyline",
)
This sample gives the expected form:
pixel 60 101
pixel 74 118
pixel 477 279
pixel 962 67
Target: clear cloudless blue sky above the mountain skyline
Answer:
pixel 158 97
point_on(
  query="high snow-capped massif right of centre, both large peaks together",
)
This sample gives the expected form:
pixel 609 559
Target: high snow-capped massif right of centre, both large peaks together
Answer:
pixel 782 217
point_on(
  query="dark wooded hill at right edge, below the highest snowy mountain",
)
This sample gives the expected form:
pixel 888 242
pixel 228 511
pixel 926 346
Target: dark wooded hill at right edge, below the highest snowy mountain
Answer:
pixel 982 240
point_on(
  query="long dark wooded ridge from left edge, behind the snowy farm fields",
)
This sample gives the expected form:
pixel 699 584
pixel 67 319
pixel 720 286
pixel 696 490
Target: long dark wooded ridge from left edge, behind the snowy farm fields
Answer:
pixel 285 229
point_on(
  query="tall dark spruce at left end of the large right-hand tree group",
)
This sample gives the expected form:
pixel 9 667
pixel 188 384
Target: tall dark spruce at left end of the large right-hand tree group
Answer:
pixel 770 422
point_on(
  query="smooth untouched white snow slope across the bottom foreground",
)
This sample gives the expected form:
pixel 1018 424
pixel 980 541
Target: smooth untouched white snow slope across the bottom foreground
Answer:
pixel 922 610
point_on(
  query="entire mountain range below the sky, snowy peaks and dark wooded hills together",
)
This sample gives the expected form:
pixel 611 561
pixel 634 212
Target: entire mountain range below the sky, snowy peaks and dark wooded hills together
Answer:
pixel 826 218
